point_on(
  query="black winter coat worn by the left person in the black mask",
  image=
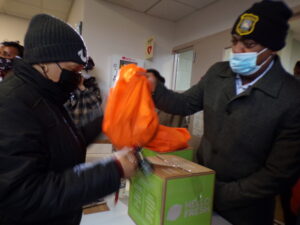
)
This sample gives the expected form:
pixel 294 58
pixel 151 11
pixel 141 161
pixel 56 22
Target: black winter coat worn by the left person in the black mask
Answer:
pixel 42 178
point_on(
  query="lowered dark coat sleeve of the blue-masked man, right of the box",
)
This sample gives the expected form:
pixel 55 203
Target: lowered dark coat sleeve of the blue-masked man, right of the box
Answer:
pixel 280 170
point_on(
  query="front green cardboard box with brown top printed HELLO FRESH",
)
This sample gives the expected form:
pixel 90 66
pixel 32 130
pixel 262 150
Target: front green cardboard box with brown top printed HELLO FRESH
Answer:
pixel 179 192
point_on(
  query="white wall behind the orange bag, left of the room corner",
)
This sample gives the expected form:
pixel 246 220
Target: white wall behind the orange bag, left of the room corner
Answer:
pixel 111 30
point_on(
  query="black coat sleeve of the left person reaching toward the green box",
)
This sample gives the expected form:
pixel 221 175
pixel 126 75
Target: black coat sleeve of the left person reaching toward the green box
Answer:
pixel 27 188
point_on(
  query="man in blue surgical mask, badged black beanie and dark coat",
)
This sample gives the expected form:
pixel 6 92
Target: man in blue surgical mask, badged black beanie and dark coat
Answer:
pixel 251 117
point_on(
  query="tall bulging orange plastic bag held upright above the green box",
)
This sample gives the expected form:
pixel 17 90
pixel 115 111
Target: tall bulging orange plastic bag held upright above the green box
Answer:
pixel 129 118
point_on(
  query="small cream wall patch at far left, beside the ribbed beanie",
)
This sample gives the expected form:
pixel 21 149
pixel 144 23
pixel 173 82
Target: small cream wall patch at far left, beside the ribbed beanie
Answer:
pixel 12 28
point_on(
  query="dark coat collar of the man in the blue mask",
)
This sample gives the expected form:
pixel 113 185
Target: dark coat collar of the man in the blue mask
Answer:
pixel 270 84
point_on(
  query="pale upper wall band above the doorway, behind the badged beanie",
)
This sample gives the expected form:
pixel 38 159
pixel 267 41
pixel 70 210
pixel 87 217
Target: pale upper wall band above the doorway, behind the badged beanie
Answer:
pixel 214 18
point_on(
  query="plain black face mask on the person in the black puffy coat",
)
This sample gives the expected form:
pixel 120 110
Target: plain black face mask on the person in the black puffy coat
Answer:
pixel 69 80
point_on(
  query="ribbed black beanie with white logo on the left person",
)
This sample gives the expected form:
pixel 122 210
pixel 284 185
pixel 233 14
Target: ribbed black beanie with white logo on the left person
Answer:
pixel 49 39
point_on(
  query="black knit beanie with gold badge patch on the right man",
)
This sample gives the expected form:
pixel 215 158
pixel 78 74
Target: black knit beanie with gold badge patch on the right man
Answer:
pixel 266 22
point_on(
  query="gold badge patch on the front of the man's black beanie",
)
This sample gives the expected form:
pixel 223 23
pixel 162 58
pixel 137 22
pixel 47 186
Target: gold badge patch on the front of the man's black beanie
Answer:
pixel 246 24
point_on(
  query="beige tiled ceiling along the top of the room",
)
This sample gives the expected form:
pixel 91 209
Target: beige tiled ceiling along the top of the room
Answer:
pixel 172 10
